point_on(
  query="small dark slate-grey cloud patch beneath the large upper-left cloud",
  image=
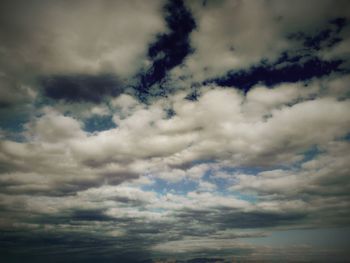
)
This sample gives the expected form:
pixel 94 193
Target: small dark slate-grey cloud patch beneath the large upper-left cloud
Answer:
pixel 80 88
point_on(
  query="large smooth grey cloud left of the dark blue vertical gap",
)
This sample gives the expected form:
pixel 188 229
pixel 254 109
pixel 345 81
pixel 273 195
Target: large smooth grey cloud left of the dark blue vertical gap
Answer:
pixel 99 40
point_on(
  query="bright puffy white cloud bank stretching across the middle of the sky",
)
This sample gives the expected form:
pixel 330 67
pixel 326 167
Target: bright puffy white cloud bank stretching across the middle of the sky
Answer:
pixel 222 125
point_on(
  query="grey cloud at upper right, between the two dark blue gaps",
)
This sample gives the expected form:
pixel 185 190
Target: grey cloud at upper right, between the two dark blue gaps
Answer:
pixel 239 34
